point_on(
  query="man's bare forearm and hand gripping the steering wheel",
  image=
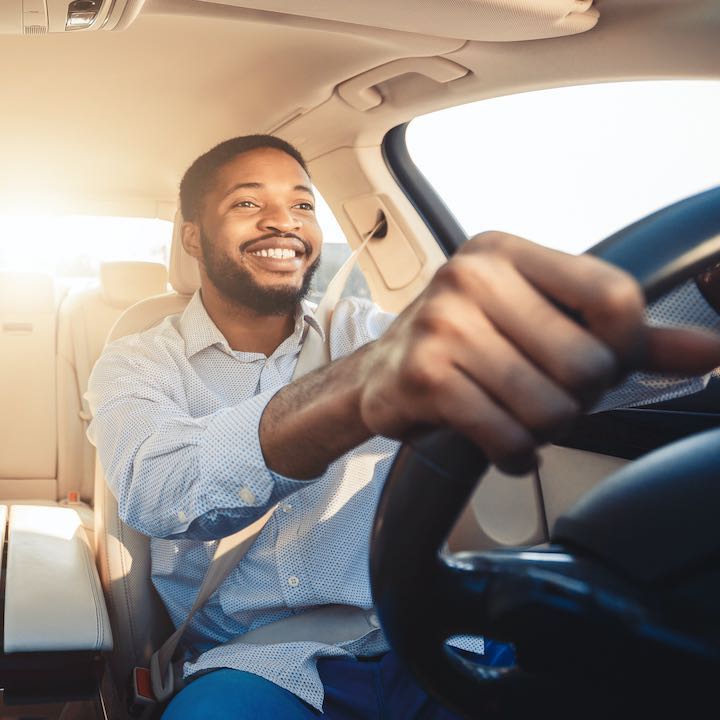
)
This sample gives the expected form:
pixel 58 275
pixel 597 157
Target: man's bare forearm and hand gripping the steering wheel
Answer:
pixel 487 350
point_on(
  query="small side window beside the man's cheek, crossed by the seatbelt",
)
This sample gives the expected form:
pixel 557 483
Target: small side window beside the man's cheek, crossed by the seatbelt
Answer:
pixel 334 253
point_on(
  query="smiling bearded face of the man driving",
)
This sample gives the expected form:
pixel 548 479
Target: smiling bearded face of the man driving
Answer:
pixel 259 236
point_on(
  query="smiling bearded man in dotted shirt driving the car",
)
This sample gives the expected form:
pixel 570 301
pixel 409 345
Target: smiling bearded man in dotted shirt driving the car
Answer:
pixel 200 428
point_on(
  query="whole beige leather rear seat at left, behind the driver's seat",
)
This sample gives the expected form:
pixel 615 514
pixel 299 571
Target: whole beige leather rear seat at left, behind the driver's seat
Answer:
pixel 44 455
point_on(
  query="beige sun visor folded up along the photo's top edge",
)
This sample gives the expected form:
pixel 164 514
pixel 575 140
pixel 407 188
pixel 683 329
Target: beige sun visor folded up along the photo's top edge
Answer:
pixel 488 20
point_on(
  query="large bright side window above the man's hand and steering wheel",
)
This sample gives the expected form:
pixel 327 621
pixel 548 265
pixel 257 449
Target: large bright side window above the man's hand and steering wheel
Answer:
pixel 569 166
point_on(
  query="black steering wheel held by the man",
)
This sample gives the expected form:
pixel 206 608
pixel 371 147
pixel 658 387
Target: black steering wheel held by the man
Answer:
pixel 615 613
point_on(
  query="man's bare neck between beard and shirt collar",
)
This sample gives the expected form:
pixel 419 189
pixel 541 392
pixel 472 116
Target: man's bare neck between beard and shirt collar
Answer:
pixel 243 328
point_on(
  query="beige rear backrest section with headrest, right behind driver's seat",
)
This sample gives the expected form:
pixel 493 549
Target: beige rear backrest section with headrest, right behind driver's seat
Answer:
pixel 84 321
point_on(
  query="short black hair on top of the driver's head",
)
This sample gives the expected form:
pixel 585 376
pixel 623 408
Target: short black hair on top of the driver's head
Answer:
pixel 200 176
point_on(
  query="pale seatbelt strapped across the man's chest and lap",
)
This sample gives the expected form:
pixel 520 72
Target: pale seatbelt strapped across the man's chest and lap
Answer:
pixel 338 623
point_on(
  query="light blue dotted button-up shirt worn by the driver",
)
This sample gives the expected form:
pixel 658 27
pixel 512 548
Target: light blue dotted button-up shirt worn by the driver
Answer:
pixel 176 415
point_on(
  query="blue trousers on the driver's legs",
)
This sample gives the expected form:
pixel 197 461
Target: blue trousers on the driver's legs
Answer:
pixel 368 689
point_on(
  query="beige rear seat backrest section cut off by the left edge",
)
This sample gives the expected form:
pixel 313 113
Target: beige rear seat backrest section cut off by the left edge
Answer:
pixel 28 430
